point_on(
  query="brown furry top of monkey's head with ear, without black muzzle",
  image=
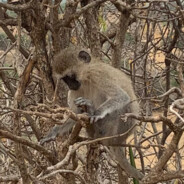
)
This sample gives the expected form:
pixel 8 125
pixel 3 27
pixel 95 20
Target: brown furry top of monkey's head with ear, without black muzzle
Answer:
pixel 68 60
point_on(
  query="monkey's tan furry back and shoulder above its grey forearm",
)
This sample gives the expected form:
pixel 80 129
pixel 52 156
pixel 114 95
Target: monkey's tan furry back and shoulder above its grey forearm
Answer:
pixel 103 78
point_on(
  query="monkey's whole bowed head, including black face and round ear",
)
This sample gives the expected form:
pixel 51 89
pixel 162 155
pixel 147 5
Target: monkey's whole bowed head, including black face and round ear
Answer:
pixel 68 64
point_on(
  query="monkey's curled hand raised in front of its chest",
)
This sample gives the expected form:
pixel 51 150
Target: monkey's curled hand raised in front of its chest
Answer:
pixel 84 105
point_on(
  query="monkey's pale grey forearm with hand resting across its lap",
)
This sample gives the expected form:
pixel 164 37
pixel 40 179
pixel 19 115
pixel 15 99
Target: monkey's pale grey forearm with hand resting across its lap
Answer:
pixel 113 103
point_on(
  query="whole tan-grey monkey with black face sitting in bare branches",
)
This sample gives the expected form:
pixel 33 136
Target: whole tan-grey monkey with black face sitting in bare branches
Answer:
pixel 107 93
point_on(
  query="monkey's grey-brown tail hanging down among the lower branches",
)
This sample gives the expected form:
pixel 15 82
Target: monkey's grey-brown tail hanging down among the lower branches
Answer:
pixel 118 155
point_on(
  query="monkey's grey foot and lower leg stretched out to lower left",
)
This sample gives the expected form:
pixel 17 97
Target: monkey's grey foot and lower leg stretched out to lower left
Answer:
pixel 58 130
